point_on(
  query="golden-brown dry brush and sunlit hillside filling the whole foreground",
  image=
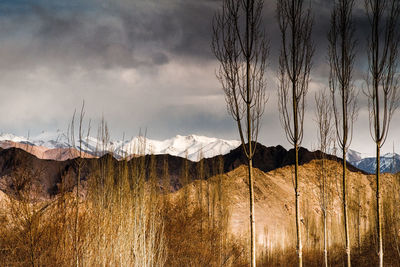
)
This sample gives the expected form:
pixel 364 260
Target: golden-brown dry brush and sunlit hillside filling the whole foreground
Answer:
pixel 129 221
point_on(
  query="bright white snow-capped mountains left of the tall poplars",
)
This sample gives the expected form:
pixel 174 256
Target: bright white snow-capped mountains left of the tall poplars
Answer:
pixel 193 147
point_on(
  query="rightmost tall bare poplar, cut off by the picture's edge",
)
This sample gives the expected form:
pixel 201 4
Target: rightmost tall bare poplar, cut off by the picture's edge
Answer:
pixel 382 82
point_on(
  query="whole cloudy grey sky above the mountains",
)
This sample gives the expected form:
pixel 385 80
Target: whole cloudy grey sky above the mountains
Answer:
pixel 146 64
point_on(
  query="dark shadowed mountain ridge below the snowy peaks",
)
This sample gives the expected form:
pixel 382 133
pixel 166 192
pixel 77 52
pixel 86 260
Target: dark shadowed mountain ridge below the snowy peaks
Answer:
pixel 19 169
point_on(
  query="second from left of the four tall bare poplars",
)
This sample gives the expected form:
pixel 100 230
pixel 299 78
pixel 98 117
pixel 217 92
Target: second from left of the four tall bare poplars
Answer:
pixel 295 23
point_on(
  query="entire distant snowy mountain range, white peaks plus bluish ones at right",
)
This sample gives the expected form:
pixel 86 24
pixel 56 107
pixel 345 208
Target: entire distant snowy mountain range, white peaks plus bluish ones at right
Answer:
pixel 57 146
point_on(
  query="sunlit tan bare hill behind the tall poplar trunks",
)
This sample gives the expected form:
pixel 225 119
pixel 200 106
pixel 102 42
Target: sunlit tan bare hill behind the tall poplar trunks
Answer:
pixel 274 203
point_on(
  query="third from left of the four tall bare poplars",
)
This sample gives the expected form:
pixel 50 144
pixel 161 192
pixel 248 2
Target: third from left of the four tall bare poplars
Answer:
pixel 341 59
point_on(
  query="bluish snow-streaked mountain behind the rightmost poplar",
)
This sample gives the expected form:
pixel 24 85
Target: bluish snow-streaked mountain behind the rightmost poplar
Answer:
pixel 388 163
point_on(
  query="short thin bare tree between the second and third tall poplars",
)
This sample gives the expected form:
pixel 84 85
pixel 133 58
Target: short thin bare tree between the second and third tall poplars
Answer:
pixel 324 122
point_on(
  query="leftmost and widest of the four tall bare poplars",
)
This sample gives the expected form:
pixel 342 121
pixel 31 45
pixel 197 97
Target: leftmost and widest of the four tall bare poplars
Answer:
pixel 241 47
